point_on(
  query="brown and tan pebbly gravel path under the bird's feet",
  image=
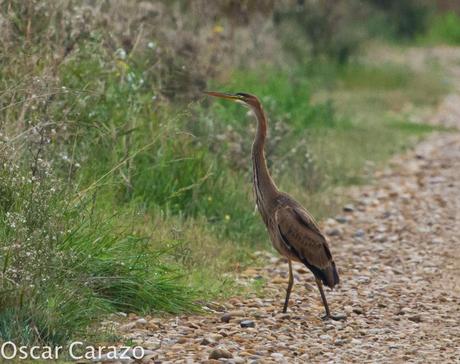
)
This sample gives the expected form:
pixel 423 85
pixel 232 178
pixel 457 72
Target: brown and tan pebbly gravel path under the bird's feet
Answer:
pixel 398 252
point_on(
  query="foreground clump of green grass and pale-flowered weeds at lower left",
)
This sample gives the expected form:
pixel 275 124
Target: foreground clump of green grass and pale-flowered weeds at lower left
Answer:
pixel 63 266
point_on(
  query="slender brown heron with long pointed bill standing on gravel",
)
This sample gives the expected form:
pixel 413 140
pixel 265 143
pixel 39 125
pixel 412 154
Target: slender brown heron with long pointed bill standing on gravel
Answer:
pixel 293 231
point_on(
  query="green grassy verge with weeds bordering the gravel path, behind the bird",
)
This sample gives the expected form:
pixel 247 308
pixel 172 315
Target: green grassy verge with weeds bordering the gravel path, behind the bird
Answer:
pixel 114 197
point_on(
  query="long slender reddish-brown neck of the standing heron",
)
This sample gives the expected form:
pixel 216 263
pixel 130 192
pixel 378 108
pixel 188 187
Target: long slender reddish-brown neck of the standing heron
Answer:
pixel 264 187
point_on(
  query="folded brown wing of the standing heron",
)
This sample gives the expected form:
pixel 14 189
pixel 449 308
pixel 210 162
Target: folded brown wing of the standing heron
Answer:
pixel 303 237
